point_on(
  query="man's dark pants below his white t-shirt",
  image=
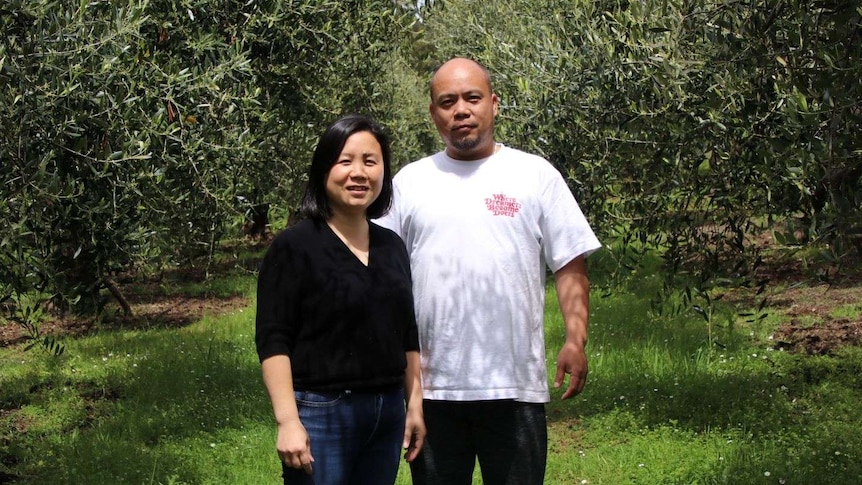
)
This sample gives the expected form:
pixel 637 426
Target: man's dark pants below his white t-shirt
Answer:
pixel 509 438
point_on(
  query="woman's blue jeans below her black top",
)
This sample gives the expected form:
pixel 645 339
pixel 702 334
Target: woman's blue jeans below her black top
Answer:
pixel 355 437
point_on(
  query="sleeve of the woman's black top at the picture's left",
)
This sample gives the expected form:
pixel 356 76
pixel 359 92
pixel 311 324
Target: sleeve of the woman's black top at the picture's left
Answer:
pixel 277 301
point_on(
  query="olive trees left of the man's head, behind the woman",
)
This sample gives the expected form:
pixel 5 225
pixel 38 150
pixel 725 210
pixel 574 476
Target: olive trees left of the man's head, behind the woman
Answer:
pixel 139 132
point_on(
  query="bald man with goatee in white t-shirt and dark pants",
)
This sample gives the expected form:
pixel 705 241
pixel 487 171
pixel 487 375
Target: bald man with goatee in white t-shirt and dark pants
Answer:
pixel 481 221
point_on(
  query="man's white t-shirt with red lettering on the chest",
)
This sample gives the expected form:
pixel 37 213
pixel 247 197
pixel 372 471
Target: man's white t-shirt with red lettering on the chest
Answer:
pixel 480 235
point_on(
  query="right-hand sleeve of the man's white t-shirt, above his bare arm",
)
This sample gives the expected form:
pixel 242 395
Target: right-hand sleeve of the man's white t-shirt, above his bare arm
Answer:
pixel 566 234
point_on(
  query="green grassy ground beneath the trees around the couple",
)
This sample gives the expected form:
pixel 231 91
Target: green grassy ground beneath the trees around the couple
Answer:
pixel 148 401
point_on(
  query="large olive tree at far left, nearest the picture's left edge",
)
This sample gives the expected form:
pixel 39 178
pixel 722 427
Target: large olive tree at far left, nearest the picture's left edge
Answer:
pixel 114 144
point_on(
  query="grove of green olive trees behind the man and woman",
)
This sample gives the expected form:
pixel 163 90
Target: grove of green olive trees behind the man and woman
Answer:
pixel 144 132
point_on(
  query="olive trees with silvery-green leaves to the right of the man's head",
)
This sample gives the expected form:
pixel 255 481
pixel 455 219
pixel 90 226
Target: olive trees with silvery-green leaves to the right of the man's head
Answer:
pixel 688 125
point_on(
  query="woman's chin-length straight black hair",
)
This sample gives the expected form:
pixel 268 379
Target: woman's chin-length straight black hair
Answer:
pixel 315 204
